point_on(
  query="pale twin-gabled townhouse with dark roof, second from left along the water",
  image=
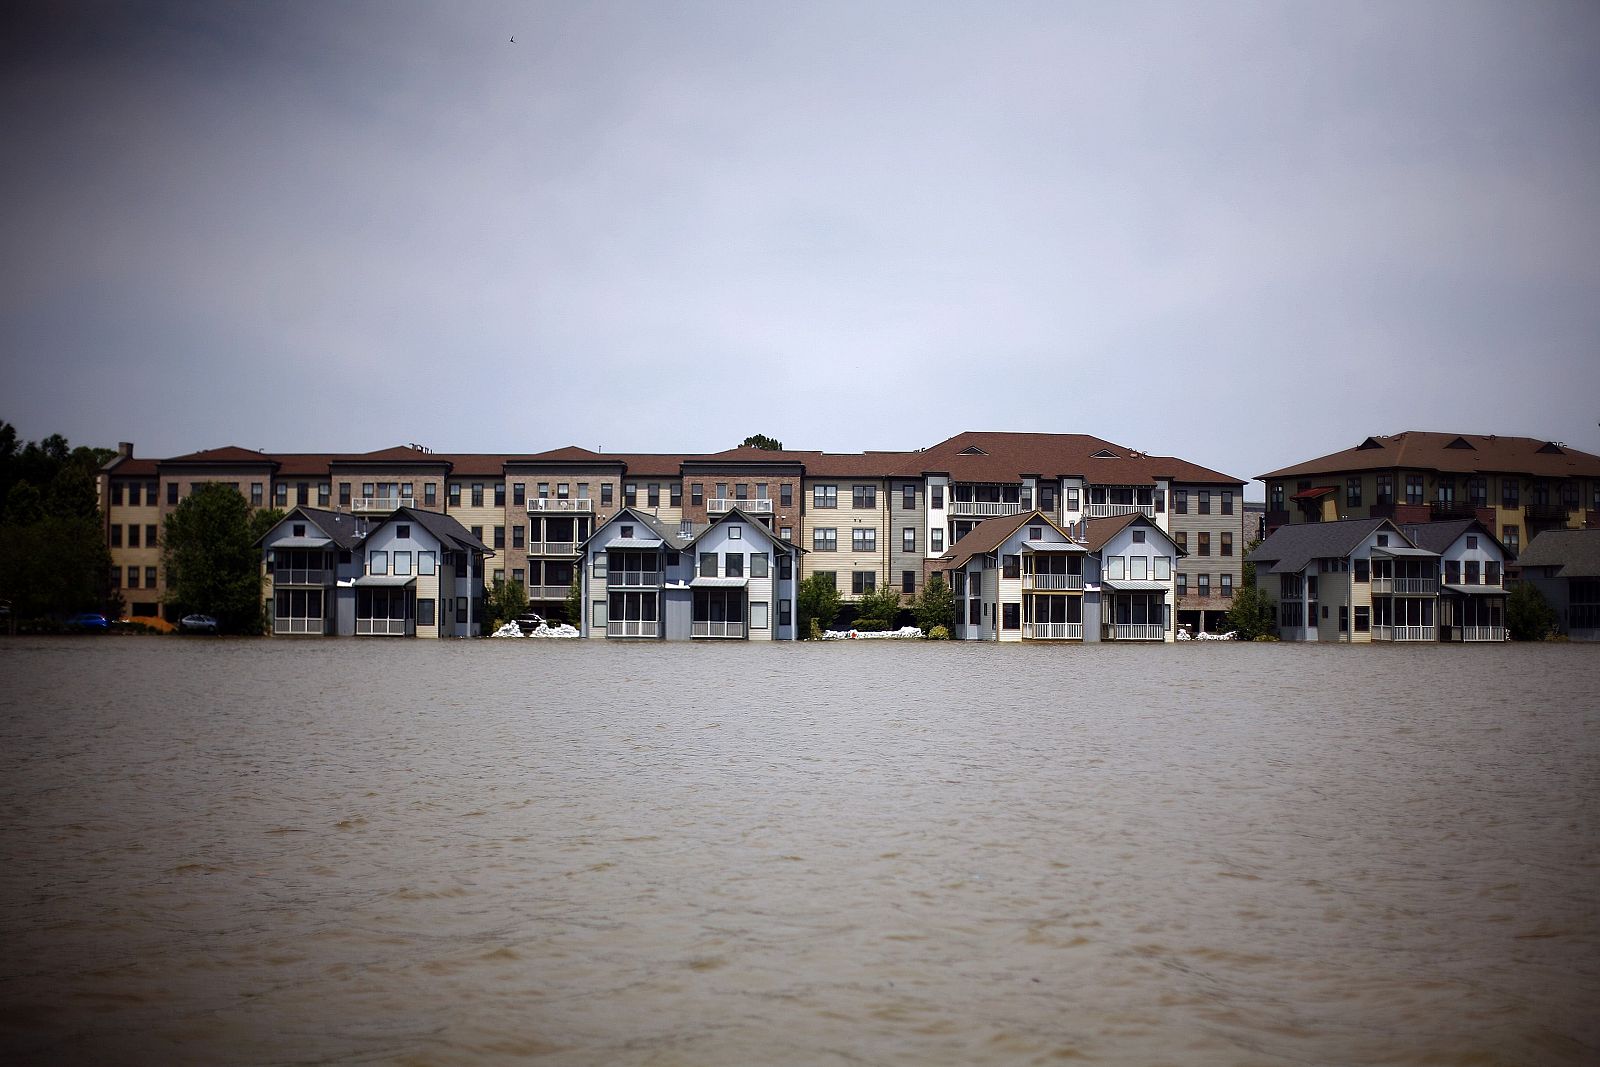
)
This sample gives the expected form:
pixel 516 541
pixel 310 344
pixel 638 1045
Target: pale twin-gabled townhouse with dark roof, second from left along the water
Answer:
pixel 729 580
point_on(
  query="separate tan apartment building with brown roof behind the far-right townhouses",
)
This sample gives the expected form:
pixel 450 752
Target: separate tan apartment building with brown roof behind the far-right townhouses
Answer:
pixel 1518 487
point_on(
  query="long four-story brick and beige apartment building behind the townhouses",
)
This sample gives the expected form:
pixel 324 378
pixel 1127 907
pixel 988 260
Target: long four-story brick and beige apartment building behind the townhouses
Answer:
pixel 870 521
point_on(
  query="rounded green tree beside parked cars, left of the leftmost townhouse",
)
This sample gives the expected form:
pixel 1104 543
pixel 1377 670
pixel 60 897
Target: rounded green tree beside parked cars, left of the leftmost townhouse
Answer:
pixel 214 565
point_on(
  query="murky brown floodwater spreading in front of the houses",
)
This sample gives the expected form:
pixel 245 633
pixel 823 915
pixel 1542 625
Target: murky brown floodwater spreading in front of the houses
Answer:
pixel 282 852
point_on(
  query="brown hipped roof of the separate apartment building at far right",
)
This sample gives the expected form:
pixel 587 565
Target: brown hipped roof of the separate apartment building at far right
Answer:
pixel 1452 454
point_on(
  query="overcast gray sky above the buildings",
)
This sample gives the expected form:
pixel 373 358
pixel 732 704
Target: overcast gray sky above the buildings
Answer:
pixel 1246 234
